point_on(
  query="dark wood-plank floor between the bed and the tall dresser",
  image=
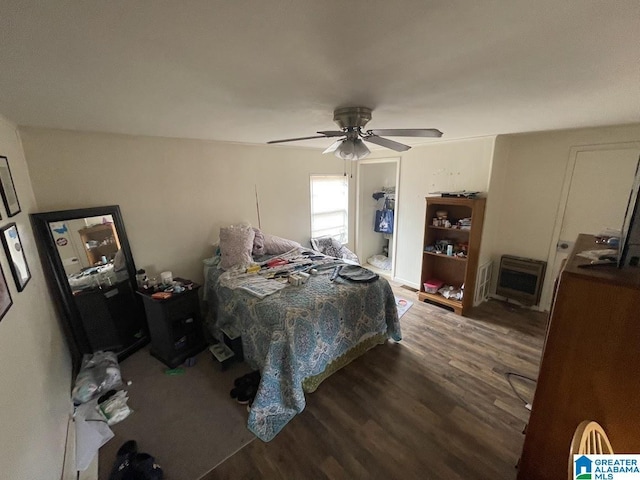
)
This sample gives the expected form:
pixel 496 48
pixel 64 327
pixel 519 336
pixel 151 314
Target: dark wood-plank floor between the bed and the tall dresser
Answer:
pixel 435 406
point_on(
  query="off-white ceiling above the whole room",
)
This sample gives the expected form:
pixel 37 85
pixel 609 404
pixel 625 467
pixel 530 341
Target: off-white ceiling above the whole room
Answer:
pixel 252 71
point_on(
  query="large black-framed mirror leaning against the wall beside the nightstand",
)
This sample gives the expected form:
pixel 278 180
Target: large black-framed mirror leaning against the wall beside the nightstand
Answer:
pixel 90 268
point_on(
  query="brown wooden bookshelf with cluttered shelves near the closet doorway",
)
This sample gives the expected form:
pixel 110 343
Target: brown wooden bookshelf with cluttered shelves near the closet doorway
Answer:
pixel 452 270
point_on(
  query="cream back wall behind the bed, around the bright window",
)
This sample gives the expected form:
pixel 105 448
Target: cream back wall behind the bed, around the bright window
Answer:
pixel 175 194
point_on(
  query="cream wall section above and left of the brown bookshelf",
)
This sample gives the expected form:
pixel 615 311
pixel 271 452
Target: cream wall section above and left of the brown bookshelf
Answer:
pixel 456 165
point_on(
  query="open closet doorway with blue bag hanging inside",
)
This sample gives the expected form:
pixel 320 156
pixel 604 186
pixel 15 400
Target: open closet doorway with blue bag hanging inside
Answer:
pixel 377 191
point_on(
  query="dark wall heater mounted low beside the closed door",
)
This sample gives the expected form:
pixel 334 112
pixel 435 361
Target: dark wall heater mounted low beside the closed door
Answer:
pixel 521 279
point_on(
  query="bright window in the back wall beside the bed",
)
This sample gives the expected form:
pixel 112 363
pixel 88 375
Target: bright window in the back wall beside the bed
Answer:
pixel 330 206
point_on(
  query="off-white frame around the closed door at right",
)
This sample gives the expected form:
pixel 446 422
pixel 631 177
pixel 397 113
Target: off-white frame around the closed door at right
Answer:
pixel 562 204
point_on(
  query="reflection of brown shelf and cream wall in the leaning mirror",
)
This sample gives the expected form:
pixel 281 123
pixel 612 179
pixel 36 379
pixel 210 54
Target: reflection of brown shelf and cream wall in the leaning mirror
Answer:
pixel 90 251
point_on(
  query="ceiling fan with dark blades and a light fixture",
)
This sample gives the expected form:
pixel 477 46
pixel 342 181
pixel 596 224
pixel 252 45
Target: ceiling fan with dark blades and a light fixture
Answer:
pixel 351 121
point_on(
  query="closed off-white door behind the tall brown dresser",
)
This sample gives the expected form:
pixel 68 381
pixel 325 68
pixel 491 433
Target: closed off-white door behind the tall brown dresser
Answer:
pixel 597 193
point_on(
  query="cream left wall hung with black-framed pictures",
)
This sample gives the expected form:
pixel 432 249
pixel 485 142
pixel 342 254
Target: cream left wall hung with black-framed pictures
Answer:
pixel 35 366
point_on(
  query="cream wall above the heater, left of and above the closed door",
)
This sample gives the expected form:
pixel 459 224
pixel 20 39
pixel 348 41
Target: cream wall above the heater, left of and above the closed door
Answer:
pixel 535 168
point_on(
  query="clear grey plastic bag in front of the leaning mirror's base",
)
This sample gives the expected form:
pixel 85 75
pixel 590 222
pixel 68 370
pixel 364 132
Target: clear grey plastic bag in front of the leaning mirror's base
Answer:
pixel 99 373
